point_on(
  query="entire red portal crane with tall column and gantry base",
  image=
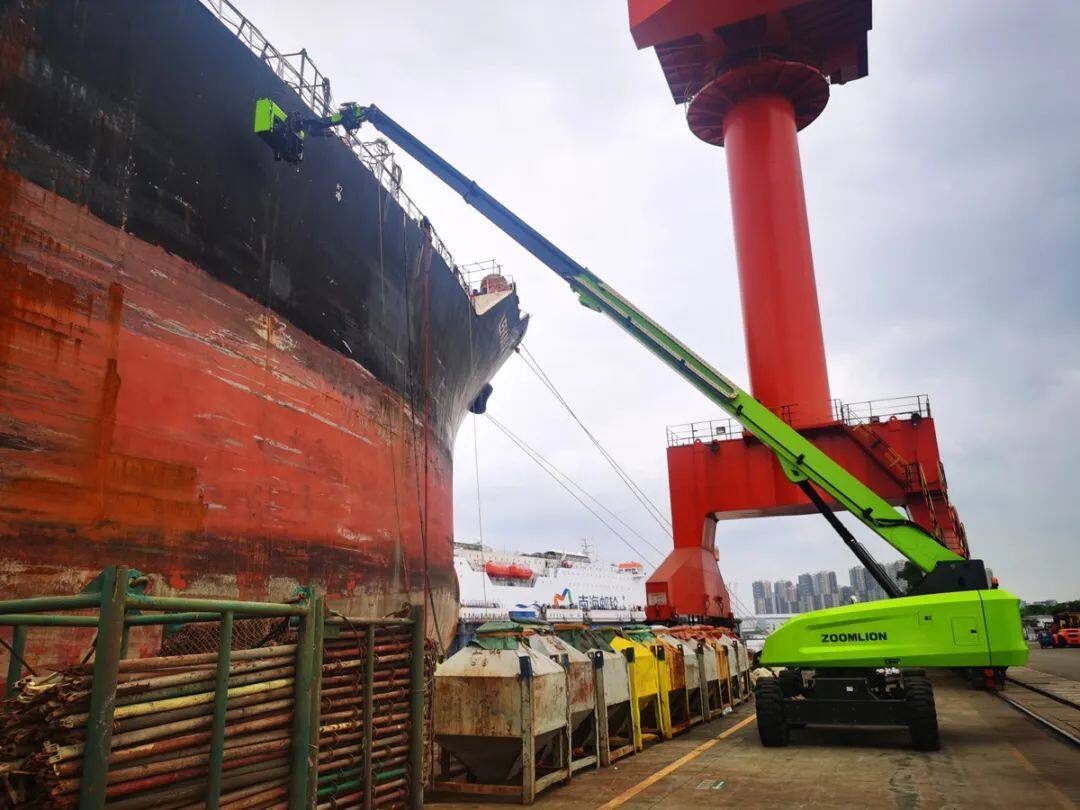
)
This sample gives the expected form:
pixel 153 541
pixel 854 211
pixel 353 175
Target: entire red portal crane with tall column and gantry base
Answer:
pixel 752 74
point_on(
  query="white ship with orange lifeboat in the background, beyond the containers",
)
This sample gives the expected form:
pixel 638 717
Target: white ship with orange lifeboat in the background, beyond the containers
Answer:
pixel 560 586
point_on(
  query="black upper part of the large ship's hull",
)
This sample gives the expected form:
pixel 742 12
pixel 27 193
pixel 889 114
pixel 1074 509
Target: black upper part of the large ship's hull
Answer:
pixel 142 112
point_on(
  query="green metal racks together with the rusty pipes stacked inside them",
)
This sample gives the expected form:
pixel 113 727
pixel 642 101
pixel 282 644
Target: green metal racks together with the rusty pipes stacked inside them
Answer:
pixel 333 718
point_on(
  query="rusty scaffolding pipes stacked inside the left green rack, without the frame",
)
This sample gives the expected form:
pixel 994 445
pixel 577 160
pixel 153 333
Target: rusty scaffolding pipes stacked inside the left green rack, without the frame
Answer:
pixel 160 751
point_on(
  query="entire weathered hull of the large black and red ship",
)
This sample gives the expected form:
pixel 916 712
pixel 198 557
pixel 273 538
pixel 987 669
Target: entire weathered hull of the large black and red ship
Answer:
pixel 227 374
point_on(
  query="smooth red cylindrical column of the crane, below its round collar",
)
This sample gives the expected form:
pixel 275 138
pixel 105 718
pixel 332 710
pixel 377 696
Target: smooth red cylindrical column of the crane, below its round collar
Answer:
pixel 782 325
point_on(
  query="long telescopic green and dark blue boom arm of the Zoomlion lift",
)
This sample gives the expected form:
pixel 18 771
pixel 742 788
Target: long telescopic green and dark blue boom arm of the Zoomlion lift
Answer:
pixel 802 462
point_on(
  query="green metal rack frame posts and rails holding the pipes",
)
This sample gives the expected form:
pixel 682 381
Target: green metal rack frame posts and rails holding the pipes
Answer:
pixel 115 597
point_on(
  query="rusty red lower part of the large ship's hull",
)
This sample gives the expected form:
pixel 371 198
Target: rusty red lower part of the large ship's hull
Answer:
pixel 156 417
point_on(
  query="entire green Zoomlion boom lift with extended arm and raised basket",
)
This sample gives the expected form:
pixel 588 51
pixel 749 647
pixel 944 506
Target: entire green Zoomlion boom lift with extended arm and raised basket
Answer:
pixel 844 664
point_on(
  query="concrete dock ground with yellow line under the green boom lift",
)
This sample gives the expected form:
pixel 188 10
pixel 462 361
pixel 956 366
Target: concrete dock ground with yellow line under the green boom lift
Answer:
pixel 992 757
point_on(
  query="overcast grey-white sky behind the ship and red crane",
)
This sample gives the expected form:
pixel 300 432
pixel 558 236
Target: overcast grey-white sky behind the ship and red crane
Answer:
pixel 944 198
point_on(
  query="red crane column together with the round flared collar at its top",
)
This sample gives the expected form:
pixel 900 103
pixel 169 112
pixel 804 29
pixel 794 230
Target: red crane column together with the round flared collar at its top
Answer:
pixel 754 109
